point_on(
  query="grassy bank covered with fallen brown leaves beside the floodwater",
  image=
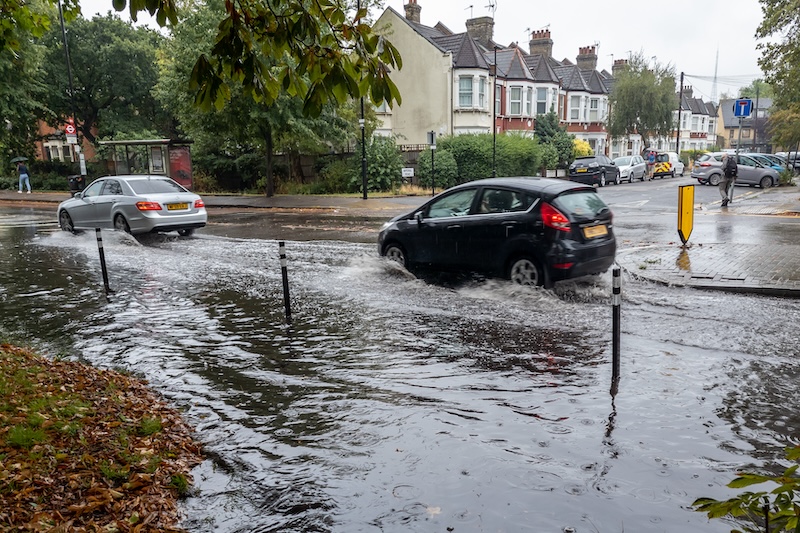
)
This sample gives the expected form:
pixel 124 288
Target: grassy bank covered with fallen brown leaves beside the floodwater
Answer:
pixel 83 449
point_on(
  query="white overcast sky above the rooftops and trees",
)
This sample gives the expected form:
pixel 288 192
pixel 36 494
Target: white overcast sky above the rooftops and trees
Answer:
pixel 683 33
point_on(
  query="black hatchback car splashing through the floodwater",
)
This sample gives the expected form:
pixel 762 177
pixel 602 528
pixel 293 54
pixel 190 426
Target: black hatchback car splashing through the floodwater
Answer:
pixel 533 231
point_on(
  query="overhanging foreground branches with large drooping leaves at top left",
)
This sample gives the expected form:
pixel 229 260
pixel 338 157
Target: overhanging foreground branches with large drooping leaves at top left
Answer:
pixel 335 54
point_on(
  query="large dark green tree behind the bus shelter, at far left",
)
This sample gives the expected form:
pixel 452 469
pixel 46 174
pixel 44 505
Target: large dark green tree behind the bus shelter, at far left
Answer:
pixel 114 71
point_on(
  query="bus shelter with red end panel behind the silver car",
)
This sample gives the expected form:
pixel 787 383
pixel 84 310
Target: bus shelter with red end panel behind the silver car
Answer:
pixel 165 157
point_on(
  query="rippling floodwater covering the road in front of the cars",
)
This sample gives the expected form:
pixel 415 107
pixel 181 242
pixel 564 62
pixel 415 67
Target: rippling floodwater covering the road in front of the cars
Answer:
pixel 391 404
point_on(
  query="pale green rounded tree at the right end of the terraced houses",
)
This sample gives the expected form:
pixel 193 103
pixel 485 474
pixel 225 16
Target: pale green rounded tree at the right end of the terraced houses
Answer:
pixel 643 99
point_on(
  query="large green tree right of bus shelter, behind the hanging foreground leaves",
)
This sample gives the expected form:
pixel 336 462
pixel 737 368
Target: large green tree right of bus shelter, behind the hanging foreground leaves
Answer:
pixel 241 130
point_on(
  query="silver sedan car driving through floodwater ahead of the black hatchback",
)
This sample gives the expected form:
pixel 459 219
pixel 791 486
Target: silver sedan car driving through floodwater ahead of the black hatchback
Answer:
pixel 135 204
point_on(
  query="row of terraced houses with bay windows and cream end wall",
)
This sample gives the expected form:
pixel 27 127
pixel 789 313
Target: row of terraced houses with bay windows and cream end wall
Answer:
pixel 456 83
